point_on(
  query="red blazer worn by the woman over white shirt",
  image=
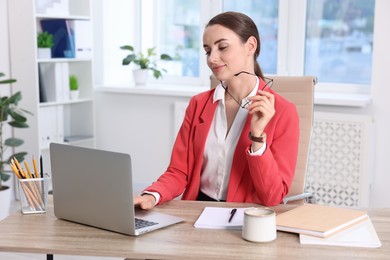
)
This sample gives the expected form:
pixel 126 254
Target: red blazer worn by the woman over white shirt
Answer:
pixel 257 179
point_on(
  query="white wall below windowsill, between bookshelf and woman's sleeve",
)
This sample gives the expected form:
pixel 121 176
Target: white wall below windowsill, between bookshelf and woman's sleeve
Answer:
pixel 141 125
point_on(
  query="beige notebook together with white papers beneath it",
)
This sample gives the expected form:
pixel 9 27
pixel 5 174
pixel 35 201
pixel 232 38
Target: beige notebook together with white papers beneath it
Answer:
pixel 328 225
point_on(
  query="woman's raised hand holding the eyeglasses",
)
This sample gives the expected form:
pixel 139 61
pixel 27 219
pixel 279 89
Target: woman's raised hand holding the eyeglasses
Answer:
pixel 262 109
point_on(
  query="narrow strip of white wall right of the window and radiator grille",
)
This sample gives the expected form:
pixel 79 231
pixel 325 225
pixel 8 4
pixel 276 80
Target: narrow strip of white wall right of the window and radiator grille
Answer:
pixel 381 105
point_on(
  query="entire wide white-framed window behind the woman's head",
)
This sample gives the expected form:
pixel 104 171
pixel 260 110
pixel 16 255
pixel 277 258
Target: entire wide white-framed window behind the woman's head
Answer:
pixel 330 39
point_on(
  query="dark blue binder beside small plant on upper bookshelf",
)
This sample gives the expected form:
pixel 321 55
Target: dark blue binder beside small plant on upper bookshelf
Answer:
pixel 63 37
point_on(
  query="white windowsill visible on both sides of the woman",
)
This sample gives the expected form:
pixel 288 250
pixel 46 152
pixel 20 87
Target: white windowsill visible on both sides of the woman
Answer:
pixel 321 98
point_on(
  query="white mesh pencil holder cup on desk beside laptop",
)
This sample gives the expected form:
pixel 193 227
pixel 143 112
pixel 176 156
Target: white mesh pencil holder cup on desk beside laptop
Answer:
pixel 33 194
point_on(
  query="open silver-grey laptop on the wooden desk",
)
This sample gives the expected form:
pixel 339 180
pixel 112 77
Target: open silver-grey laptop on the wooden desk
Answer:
pixel 94 187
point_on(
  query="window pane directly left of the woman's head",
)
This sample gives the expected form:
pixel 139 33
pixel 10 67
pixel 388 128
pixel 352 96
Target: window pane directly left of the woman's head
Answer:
pixel 177 32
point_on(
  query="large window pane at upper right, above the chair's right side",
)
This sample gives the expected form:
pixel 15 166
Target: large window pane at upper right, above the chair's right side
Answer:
pixel 338 47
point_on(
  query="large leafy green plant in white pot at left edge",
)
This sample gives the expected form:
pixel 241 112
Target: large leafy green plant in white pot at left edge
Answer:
pixel 12 116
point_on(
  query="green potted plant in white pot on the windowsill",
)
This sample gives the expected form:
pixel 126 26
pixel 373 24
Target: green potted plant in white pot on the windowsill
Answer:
pixel 145 62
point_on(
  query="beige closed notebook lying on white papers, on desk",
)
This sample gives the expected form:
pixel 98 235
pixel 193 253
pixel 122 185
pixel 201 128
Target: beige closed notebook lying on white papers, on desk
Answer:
pixel 318 220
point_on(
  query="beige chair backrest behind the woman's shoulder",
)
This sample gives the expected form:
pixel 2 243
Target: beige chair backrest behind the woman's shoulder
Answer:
pixel 300 91
